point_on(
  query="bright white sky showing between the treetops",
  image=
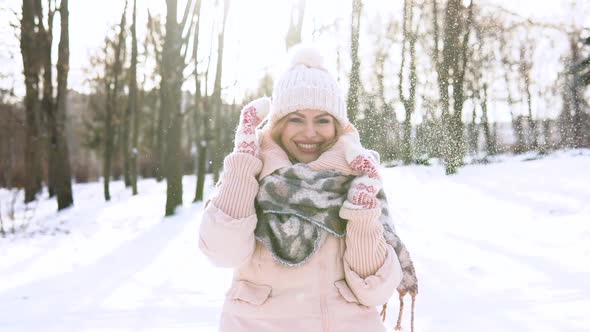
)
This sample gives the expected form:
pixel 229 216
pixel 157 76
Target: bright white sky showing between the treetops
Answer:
pixel 255 33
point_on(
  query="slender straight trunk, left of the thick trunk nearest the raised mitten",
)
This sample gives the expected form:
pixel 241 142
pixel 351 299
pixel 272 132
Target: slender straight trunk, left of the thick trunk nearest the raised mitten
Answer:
pixel 133 109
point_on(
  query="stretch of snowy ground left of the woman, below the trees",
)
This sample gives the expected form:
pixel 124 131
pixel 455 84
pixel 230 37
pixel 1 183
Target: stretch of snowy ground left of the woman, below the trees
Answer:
pixel 150 281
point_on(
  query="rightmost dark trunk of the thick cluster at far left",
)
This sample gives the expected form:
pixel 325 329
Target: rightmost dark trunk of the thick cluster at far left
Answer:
pixel 63 178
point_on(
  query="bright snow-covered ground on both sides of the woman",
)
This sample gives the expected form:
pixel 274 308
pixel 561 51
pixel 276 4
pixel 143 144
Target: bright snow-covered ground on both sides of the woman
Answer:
pixel 498 247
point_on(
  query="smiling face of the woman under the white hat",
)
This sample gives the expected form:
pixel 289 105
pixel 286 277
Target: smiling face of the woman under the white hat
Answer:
pixel 307 134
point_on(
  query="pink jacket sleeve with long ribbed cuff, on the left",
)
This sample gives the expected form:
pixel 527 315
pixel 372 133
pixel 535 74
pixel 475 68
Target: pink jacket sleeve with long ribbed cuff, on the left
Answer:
pixel 226 234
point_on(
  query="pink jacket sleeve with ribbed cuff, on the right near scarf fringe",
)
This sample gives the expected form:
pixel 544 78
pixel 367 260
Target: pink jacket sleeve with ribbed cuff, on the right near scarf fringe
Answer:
pixel 371 267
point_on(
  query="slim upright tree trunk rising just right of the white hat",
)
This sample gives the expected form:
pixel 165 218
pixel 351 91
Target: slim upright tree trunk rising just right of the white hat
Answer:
pixel 354 85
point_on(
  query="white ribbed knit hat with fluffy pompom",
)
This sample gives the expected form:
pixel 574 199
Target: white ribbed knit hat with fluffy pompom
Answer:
pixel 307 85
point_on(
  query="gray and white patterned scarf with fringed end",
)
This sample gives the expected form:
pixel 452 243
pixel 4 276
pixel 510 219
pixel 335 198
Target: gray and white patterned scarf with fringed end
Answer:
pixel 296 204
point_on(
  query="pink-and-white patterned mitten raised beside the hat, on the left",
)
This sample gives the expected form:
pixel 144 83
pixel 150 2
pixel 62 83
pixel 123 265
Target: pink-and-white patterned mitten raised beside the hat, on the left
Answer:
pixel 250 117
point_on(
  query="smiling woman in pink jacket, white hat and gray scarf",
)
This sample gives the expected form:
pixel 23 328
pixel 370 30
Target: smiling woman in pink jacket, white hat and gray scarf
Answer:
pixel 300 215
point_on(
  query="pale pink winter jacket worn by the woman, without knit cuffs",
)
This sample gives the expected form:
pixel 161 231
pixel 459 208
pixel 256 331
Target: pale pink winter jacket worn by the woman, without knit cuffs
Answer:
pixel 326 294
